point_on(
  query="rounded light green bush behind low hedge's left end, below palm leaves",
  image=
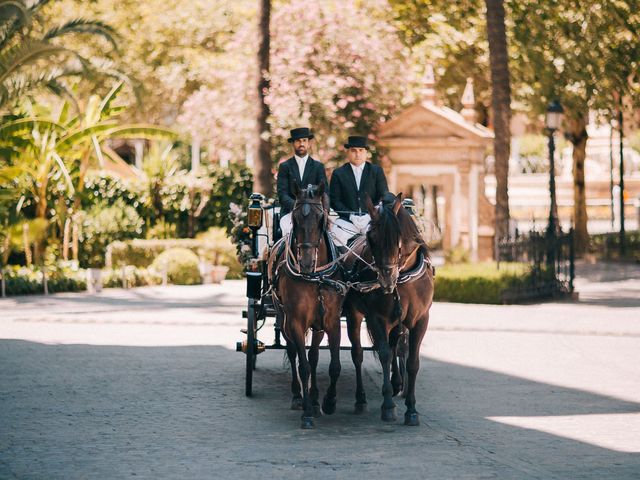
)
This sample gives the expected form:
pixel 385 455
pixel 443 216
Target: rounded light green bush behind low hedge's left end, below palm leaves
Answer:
pixel 101 226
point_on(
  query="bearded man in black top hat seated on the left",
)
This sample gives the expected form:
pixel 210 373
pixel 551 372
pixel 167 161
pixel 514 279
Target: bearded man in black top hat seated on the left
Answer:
pixel 300 169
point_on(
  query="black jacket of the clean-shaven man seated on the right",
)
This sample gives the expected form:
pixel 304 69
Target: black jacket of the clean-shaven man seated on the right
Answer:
pixel 345 197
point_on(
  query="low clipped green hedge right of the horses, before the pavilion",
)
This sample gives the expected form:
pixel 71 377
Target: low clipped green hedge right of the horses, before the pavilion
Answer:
pixel 478 283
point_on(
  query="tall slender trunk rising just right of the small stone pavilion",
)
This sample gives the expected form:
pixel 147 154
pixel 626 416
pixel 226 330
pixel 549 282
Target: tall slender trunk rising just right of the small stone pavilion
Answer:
pixel 501 105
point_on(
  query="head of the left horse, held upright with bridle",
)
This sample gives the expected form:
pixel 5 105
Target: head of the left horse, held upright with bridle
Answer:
pixel 309 217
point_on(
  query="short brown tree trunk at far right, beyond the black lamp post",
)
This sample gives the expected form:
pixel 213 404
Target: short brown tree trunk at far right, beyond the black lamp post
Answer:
pixel 577 130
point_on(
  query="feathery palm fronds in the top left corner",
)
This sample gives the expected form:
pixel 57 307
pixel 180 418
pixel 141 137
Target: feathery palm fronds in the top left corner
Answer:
pixel 29 61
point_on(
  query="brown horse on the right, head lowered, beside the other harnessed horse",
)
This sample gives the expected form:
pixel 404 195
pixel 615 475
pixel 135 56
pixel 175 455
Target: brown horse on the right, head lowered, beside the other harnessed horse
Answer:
pixel 392 282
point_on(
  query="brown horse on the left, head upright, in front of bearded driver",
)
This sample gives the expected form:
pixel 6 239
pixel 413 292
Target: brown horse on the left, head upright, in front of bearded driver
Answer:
pixel 308 294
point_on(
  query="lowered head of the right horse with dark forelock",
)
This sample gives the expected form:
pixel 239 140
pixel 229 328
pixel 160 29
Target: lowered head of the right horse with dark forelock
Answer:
pixel 384 239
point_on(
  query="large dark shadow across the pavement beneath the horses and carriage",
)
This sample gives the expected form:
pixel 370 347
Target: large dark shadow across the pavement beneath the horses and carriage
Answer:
pixel 78 411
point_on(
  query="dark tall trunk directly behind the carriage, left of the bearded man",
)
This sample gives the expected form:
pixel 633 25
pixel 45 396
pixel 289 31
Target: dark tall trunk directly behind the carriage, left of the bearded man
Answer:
pixel 262 181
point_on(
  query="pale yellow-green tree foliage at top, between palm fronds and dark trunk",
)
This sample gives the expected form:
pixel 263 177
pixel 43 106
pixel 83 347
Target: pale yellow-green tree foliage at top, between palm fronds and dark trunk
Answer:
pixel 173 47
